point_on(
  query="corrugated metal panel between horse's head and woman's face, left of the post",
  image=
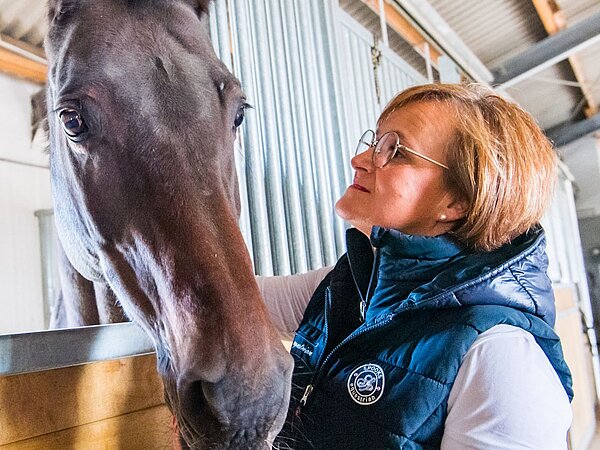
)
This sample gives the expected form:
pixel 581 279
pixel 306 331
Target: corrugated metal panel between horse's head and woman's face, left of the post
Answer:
pixel 291 166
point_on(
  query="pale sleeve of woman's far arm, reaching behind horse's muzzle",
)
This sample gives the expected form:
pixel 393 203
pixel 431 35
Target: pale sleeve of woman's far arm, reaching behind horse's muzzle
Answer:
pixel 287 296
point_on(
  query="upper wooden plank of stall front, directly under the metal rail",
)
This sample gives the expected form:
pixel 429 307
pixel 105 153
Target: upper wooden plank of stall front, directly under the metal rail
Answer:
pixel 39 403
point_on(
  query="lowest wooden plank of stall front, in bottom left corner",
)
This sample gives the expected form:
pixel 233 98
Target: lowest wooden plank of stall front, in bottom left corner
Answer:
pixel 148 429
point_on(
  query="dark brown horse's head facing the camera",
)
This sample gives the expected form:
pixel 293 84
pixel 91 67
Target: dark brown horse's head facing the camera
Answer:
pixel 142 119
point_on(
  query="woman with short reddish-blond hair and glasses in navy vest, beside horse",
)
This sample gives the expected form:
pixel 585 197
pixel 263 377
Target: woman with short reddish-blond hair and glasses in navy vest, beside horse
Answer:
pixel 435 329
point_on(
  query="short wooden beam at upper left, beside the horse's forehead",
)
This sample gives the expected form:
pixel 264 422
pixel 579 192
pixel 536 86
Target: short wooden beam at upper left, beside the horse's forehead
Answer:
pixel 14 62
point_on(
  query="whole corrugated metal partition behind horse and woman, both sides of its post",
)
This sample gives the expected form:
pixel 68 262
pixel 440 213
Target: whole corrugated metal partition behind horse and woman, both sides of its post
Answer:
pixel 307 69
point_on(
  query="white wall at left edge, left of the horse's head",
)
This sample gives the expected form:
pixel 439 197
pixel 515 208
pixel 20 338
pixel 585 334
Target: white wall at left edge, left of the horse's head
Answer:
pixel 24 188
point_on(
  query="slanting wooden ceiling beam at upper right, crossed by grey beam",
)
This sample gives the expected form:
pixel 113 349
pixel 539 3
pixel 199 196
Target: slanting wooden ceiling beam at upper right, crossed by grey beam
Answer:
pixel 554 21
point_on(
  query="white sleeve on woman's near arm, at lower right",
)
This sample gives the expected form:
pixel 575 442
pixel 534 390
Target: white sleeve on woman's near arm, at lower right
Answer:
pixel 506 396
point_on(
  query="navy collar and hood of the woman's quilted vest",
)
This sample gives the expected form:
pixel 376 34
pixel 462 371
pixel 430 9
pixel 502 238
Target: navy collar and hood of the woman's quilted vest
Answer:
pixel 447 275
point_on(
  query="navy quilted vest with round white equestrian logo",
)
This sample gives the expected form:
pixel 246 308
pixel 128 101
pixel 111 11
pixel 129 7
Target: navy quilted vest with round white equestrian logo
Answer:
pixel 384 383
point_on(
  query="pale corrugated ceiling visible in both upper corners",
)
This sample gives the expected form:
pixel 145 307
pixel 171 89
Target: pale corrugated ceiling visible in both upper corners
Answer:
pixel 494 32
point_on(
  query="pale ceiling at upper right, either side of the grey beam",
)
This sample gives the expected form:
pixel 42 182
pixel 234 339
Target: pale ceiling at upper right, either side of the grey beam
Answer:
pixel 497 31
